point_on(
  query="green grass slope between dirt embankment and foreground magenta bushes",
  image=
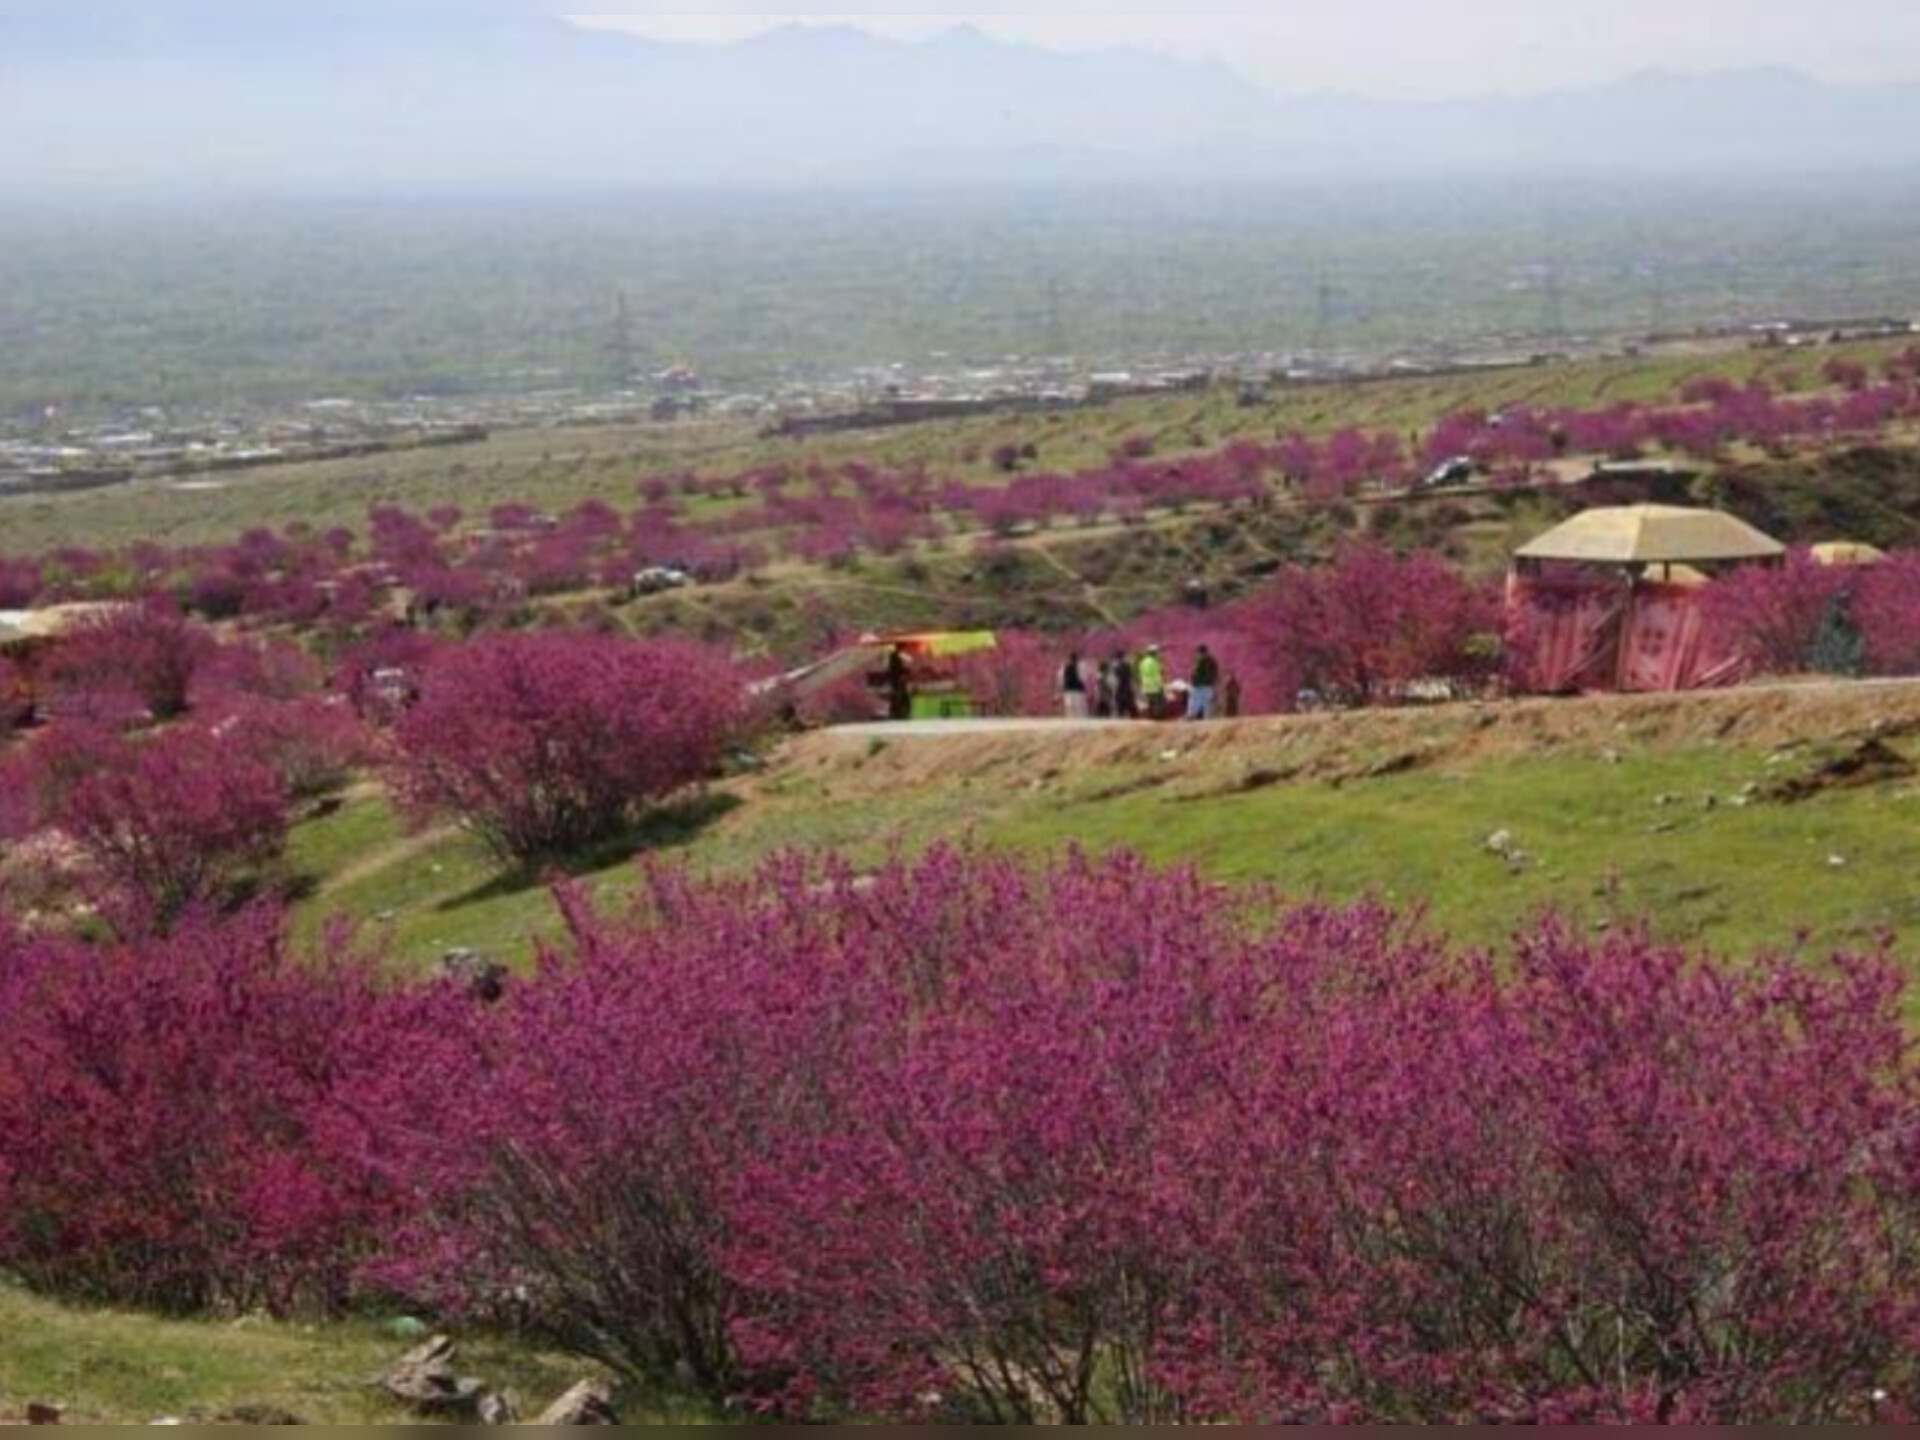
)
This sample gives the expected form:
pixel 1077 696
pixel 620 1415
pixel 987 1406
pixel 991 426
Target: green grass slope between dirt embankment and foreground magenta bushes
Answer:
pixel 1669 838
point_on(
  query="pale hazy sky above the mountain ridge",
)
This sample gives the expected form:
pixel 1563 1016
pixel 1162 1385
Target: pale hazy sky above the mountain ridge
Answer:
pixel 1435 47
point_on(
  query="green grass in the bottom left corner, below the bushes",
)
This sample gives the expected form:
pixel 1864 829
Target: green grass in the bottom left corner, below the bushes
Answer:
pixel 105 1366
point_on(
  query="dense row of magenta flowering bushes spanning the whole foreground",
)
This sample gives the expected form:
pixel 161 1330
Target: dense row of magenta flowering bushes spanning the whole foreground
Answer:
pixel 976 1141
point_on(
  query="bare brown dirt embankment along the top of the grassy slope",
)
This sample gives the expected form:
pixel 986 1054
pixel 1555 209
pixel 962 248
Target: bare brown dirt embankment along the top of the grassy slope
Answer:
pixel 1351 748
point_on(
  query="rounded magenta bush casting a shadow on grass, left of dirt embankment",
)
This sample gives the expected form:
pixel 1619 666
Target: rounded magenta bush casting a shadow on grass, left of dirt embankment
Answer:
pixel 548 744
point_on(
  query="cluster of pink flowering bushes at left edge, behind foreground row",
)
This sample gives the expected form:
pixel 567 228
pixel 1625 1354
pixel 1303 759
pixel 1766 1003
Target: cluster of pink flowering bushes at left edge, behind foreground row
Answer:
pixel 170 771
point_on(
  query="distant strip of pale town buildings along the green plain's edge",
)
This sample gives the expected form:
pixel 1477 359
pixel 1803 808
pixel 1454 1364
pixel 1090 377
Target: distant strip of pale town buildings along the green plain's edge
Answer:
pixel 57 454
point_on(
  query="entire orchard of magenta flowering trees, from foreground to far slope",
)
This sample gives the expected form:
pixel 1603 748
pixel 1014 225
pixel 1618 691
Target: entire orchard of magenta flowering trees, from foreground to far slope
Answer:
pixel 965 1138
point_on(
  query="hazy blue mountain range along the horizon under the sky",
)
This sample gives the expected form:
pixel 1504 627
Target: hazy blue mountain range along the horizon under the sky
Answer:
pixel 435 95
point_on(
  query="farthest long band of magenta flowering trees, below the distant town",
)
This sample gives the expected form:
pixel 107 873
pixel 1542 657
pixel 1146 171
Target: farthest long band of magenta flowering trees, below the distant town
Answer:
pixel 489 569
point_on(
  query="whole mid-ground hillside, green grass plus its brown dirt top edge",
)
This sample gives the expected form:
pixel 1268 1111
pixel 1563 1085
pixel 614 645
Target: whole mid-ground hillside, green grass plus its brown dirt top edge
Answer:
pixel 1714 819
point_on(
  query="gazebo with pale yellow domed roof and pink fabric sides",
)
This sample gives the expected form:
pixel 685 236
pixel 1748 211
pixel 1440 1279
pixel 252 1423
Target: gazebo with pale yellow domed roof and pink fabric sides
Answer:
pixel 1612 600
